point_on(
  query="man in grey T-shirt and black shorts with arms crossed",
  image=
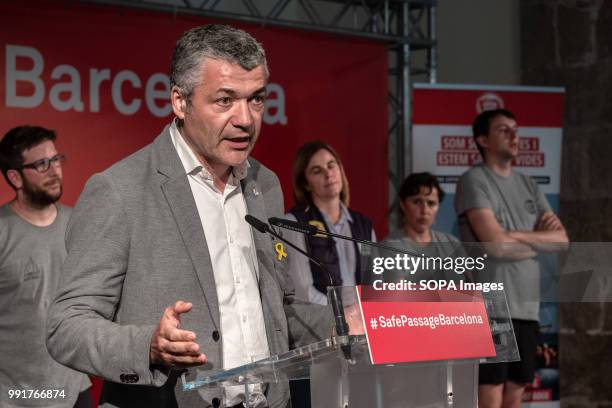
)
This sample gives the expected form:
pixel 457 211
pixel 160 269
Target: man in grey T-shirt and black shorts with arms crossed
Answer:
pixel 505 208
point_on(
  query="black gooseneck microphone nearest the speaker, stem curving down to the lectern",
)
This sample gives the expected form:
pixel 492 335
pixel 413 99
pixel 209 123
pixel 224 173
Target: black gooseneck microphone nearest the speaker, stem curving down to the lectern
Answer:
pixel 336 302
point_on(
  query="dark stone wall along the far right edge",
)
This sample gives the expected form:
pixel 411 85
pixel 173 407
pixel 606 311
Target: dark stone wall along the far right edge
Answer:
pixel 569 43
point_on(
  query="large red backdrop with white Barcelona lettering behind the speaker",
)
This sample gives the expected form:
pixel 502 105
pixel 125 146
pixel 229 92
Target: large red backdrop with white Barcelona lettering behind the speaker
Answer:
pixel 98 76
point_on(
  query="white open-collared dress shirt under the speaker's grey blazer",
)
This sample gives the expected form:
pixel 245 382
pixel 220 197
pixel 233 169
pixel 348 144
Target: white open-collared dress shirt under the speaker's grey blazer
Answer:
pixel 235 267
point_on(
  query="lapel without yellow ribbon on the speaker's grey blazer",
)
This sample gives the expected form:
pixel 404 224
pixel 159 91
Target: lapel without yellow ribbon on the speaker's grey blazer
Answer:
pixel 180 199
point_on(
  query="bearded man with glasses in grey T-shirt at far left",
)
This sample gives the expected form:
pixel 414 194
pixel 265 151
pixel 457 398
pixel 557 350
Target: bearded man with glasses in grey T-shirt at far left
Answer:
pixel 32 250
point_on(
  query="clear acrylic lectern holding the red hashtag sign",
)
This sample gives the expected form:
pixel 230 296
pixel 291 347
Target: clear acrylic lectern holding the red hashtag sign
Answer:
pixel 357 383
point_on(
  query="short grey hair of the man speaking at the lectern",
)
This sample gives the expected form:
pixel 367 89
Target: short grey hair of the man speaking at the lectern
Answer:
pixel 215 41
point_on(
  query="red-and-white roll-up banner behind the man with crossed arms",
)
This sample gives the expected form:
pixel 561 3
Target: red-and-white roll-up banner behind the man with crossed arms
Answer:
pixel 444 146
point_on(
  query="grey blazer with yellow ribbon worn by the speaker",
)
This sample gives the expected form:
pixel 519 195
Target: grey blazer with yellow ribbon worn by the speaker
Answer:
pixel 135 246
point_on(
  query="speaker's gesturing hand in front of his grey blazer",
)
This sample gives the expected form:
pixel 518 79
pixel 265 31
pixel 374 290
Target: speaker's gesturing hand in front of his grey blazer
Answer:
pixel 172 346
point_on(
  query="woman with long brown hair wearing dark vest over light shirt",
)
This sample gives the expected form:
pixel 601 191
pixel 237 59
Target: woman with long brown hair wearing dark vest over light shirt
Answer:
pixel 321 193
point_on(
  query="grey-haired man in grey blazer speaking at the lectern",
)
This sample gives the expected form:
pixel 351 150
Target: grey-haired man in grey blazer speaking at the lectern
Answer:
pixel 166 226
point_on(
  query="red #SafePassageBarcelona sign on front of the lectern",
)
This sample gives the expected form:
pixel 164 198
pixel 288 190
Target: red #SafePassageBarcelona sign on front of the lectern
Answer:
pixel 424 325
